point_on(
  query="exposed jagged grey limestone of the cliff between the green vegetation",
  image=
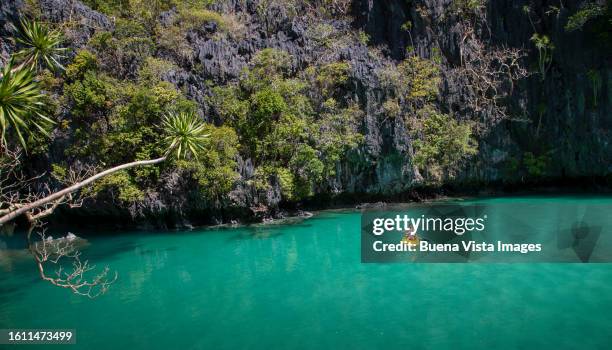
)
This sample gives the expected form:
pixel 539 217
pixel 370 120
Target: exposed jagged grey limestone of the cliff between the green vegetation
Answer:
pixel 559 117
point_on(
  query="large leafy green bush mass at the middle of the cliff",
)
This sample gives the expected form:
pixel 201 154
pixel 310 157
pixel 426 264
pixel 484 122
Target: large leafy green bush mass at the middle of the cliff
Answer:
pixel 292 138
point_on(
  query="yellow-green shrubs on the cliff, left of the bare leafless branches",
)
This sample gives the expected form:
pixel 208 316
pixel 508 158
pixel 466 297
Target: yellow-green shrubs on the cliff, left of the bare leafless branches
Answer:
pixel 440 142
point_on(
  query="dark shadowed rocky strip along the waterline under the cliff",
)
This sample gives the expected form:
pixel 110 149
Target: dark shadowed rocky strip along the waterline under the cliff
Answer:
pixel 67 218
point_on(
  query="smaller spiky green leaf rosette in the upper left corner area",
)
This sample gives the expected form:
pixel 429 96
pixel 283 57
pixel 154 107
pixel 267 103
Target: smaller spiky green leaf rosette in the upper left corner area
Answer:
pixel 42 46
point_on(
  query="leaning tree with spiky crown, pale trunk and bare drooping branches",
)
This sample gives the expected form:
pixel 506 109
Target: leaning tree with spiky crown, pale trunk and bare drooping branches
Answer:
pixel 185 137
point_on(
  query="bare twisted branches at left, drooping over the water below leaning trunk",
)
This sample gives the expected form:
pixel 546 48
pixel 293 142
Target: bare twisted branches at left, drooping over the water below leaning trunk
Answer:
pixel 18 192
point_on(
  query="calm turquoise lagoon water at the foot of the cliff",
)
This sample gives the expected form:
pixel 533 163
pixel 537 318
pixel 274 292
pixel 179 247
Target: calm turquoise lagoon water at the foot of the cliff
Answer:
pixel 302 286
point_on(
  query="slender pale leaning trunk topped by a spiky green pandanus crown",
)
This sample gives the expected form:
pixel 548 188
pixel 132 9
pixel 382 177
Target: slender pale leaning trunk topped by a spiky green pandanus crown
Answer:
pixel 185 136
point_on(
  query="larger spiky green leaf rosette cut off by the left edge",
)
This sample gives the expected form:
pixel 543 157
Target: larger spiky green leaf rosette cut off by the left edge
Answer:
pixel 21 105
